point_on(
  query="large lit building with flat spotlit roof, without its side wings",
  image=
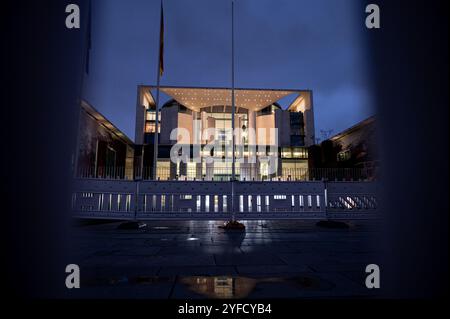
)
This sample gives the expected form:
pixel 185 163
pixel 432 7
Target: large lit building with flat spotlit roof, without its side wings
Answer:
pixel 258 115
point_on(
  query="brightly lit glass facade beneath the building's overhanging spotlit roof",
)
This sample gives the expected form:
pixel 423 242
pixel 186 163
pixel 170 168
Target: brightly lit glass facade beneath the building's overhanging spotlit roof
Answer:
pixel 219 119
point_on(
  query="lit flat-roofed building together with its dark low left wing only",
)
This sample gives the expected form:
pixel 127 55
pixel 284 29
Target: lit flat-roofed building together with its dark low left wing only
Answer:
pixel 265 129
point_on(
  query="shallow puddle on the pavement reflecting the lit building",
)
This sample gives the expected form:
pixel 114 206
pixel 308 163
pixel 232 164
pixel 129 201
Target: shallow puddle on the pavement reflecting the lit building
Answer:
pixel 226 287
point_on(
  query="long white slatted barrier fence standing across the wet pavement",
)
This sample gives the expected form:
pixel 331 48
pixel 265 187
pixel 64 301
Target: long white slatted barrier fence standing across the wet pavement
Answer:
pixel 146 200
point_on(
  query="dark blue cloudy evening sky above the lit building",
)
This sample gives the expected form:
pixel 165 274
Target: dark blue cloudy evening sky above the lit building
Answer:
pixel 285 44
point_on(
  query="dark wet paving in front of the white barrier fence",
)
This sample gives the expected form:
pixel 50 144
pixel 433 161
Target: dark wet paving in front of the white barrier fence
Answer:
pixel 190 260
